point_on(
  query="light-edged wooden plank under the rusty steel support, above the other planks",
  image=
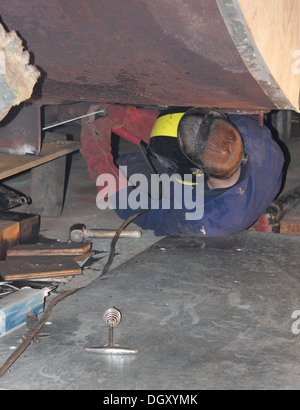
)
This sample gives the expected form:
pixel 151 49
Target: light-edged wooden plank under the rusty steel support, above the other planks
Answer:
pixel 51 149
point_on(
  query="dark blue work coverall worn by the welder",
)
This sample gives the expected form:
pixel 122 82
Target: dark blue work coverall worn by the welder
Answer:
pixel 233 209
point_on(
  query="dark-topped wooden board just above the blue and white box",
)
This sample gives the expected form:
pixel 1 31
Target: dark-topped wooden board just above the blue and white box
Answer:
pixel 38 267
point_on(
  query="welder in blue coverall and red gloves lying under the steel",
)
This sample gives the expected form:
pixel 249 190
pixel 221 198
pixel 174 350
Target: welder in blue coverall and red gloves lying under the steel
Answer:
pixel 235 160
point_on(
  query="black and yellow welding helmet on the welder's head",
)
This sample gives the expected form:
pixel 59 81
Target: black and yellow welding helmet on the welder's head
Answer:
pixel 168 141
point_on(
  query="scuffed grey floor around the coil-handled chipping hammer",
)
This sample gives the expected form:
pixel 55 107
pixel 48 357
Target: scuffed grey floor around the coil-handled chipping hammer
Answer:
pixel 204 314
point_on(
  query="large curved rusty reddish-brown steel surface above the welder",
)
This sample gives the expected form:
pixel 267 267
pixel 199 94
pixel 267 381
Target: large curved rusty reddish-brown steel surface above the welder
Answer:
pixel 147 52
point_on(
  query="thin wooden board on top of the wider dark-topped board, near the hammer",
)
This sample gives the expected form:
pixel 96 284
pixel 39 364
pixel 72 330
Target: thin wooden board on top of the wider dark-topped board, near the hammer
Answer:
pixel 55 249
